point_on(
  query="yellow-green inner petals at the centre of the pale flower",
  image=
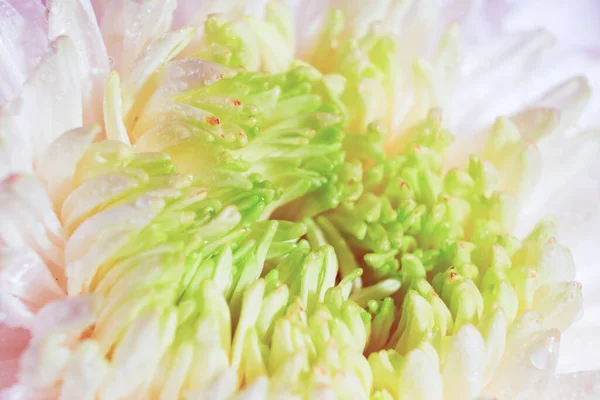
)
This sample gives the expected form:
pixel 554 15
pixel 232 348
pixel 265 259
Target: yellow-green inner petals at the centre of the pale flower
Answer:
pixel 277 238
